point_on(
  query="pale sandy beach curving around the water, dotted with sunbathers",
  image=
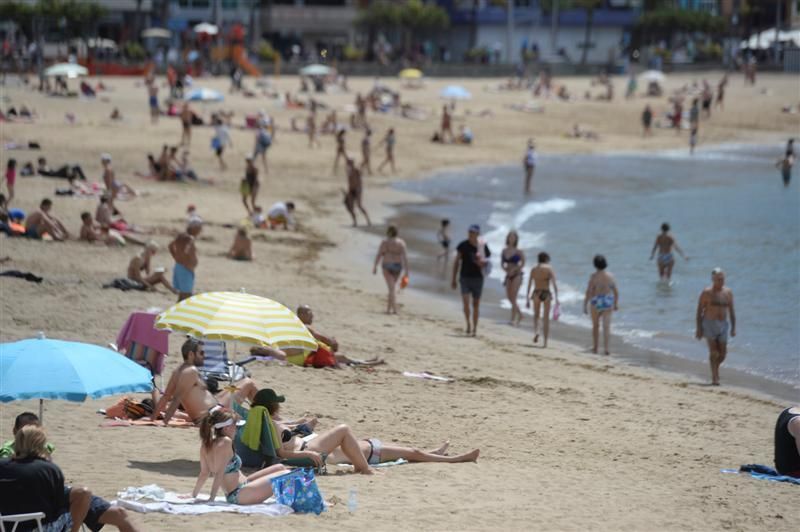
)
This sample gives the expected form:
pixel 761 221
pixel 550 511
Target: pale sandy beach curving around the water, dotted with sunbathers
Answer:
pixel 568 440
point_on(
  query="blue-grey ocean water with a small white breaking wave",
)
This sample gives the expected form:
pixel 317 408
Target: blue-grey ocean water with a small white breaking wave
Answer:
pixel 727 207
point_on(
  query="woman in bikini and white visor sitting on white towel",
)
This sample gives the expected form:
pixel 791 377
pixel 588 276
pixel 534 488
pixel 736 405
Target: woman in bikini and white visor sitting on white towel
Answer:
pixel 218 459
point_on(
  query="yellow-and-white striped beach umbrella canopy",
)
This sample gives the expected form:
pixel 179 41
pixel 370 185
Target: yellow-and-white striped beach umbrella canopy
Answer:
pixel 238 316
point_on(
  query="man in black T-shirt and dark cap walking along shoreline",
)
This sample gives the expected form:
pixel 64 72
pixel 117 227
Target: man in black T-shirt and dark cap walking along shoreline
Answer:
pixel 471 260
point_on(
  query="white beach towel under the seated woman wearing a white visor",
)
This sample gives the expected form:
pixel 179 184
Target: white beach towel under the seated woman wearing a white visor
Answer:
pixel 151 498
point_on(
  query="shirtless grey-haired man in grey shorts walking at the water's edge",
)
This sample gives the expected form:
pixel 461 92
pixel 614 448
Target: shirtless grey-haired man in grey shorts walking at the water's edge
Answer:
pixel 713 307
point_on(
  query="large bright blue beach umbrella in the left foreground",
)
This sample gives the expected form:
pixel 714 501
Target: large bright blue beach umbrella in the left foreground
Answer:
pixel 41 369
